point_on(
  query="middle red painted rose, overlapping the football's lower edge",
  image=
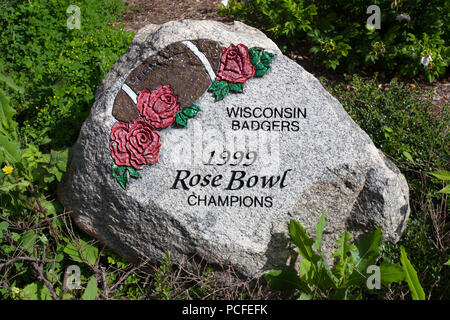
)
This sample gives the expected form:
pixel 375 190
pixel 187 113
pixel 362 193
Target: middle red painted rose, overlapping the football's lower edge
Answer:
pixel 159 107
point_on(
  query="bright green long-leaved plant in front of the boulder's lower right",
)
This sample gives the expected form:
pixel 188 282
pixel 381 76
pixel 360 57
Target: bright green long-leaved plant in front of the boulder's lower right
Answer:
pixel 348 278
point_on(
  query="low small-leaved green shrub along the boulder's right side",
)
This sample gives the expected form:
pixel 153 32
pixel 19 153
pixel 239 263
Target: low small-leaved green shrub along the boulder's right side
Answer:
pixel 398 119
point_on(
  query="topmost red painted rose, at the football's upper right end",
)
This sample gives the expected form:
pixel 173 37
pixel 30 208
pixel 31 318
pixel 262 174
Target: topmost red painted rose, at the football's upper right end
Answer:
pixel 235 65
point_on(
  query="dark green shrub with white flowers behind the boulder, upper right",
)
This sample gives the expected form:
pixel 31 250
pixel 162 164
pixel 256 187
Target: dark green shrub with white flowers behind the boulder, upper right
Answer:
pixel 338 36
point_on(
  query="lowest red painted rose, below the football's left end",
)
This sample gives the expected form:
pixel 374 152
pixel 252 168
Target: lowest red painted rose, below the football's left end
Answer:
pixel 134 144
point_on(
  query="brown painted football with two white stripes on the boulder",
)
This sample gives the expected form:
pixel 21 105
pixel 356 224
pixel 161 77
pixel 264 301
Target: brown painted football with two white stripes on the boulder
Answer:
pixel 189 67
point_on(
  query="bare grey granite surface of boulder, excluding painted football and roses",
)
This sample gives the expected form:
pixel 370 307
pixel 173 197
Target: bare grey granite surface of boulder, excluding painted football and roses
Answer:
pixel 328 164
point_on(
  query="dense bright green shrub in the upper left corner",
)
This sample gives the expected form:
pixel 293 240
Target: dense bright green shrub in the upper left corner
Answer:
pixel 59 68
